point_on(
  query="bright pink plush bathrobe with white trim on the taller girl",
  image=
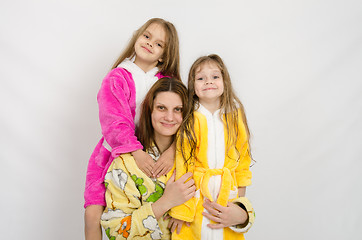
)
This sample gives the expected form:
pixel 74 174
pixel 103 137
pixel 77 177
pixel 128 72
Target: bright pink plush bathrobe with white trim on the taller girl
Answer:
pixel 117 106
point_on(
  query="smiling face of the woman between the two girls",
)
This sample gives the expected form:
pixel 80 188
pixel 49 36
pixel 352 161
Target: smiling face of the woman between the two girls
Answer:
pixel 166 114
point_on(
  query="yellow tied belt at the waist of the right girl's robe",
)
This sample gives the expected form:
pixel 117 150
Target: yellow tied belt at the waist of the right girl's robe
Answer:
pixel 204 175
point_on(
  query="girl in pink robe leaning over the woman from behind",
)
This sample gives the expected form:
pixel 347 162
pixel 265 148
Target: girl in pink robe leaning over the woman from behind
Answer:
pixel 152 53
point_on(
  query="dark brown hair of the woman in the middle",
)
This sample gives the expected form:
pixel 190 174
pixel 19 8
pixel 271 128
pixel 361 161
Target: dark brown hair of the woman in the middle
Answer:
pixel 145 130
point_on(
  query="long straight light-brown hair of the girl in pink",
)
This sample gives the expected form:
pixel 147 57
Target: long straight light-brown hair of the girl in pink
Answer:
pixel 170 66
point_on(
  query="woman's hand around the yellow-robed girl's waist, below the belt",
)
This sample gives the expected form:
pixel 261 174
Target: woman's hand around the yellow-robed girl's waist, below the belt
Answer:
pixel 227 216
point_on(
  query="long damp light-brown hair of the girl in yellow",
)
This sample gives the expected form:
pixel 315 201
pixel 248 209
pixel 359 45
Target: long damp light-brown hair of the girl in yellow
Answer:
pixel 229 104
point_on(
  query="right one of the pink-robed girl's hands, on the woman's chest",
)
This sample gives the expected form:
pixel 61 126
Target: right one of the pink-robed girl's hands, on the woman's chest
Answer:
pixel 165 162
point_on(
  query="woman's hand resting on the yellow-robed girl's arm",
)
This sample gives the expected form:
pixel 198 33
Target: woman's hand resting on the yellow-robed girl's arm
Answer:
pixel 178 192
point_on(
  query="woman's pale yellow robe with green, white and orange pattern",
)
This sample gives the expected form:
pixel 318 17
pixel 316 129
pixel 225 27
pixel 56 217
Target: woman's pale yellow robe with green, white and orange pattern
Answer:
pixel 129 196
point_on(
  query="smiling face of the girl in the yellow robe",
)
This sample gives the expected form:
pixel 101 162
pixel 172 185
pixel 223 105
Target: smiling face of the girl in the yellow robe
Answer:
pixel 209 84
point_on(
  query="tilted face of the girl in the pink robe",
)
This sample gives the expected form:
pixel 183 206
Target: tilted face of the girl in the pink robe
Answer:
pixel 149 47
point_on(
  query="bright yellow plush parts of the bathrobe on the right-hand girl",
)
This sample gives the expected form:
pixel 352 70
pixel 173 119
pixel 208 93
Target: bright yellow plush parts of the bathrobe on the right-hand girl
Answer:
pixel 234 174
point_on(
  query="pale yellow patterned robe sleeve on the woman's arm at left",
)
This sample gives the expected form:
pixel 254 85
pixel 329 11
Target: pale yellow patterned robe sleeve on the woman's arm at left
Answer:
pixel 125 216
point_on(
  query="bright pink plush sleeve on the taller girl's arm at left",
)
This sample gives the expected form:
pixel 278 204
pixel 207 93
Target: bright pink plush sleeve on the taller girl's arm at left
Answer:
pixel 116 102
